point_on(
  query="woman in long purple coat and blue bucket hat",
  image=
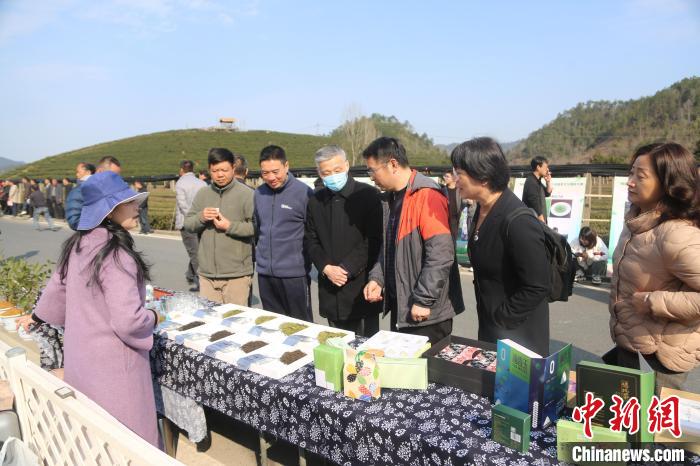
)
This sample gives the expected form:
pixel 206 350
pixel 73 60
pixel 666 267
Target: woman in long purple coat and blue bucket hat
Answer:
pixel 97 294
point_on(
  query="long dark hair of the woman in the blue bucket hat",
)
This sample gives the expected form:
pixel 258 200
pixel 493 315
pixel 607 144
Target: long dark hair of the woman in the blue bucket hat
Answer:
pixel 119 238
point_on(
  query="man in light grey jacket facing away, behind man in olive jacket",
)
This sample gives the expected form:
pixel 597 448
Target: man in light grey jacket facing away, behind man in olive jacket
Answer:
pixel 185 190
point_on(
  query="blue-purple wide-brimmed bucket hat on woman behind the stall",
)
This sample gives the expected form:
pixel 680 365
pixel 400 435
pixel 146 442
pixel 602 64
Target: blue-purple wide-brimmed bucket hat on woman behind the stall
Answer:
pixel 102 193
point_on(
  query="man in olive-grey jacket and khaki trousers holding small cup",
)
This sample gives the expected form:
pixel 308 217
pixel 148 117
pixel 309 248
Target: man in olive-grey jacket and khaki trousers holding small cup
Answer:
pixel 222 215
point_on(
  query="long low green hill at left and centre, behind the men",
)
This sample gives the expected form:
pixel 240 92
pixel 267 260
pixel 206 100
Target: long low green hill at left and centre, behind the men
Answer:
pixel 160 153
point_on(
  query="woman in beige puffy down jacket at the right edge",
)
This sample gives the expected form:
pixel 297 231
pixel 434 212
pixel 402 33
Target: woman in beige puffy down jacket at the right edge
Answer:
pixel 655 295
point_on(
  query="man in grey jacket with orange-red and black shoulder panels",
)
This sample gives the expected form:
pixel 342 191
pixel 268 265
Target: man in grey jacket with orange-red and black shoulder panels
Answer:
pixel 416 275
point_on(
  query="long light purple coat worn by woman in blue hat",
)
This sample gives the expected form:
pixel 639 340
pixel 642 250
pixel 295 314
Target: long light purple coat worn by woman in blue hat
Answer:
pixel 108 334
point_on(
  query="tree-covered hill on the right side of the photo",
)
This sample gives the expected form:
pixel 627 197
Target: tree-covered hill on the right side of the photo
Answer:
pixel 605 131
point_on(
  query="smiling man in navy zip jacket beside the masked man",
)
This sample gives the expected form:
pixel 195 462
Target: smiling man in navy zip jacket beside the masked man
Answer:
pixel 280 215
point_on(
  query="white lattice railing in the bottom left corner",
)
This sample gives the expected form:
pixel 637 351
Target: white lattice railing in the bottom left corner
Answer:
pixel 63 427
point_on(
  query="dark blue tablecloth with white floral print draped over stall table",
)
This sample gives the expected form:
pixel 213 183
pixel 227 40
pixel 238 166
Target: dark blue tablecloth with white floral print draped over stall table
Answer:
pixel 439 426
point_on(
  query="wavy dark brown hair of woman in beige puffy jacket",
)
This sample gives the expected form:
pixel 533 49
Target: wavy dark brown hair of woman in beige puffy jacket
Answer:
pixel 678 174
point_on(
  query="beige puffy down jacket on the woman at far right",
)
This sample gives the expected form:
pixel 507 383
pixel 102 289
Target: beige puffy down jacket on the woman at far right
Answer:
pixel 663 262
